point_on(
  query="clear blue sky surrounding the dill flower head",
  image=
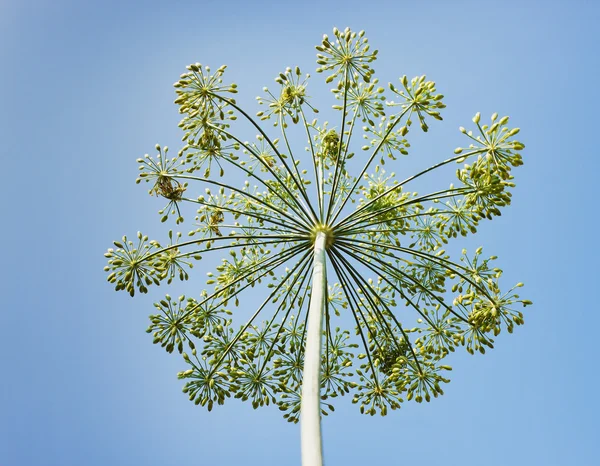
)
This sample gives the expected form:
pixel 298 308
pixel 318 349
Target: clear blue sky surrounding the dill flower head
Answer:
pixel 85 89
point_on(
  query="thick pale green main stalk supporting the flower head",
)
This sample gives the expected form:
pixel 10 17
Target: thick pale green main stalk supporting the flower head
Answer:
pixel 310 411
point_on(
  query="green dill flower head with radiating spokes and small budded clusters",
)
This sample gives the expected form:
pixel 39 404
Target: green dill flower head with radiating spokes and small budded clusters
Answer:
pixel 375 227
